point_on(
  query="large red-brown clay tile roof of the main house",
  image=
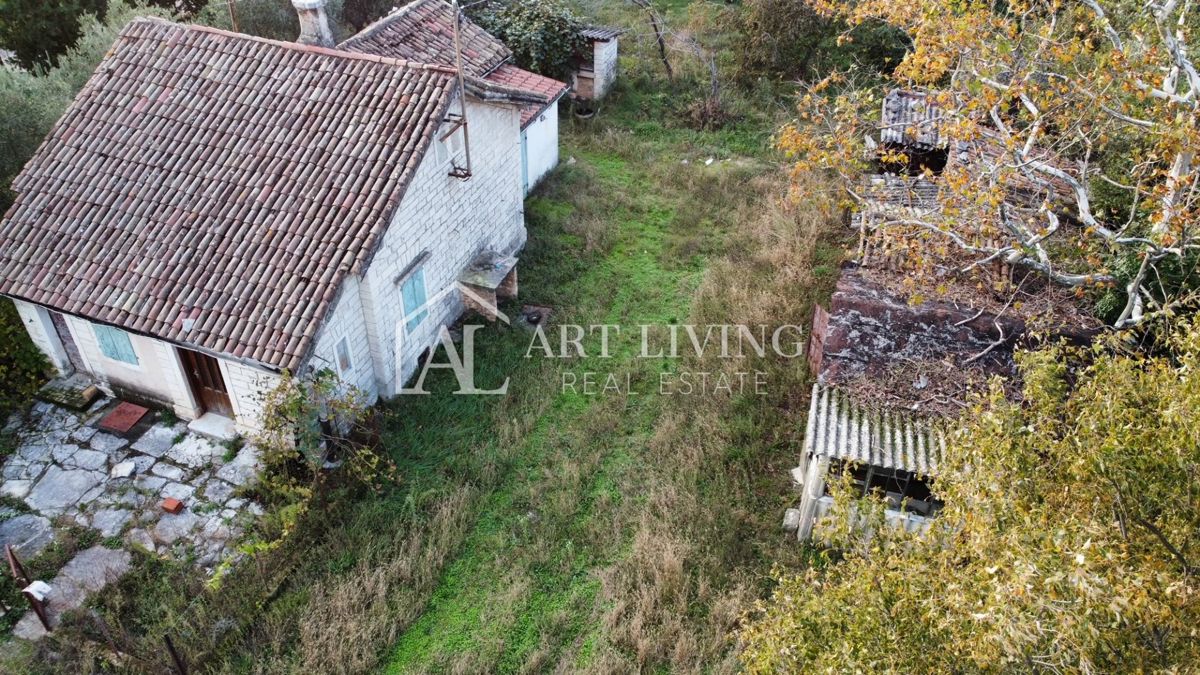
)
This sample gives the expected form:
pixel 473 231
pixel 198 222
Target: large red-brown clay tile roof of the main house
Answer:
pixel 220 178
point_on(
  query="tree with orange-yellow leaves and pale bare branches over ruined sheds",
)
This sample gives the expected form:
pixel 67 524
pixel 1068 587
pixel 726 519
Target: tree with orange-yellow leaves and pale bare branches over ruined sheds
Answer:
pixel 1070 135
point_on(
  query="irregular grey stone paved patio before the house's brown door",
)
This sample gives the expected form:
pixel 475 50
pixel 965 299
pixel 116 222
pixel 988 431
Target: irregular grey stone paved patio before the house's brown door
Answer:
pixel 65 469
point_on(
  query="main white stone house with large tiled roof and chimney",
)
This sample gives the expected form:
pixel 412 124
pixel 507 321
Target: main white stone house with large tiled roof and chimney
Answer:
pixel 215 210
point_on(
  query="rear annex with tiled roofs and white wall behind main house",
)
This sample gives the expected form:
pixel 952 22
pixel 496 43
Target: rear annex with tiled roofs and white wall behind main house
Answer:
pixel 424 31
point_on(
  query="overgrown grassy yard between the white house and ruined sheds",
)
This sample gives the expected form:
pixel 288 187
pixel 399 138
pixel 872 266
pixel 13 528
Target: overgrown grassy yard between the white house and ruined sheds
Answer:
pixel 548 528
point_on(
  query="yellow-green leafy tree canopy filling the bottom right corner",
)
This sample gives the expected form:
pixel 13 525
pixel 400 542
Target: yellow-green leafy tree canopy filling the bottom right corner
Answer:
pixel 1069 542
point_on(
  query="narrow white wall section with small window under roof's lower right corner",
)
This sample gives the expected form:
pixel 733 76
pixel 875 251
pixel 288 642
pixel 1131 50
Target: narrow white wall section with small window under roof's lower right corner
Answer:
pixel 346 321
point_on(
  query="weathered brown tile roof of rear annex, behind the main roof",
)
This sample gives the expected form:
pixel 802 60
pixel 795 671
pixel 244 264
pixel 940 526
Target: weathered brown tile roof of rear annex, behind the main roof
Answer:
pixel 424 32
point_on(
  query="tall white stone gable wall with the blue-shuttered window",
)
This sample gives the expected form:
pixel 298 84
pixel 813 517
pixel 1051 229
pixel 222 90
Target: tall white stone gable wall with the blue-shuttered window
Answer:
pixel 453 222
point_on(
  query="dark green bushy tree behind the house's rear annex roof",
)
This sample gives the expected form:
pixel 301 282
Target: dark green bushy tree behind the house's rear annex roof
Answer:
pixel 544 35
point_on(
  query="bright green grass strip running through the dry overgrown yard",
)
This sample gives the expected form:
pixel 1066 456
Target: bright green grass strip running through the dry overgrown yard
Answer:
pixel 526 570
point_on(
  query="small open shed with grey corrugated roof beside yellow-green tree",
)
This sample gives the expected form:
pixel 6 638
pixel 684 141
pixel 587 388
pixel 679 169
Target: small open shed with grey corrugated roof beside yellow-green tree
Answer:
pixel 890 453
